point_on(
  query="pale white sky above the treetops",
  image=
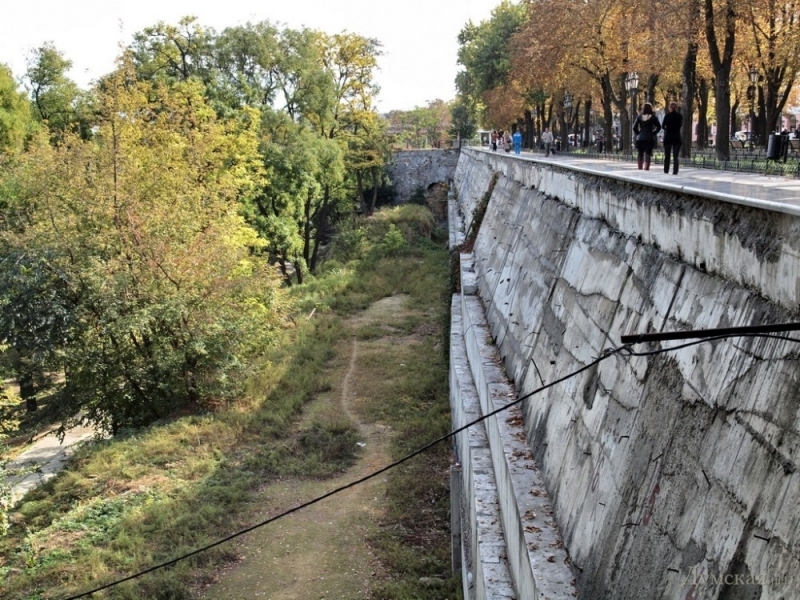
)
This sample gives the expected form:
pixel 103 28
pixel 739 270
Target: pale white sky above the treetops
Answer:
pixel 418 36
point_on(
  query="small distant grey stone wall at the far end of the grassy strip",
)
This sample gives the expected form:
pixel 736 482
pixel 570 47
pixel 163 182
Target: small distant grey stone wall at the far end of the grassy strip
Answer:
pixel 413 169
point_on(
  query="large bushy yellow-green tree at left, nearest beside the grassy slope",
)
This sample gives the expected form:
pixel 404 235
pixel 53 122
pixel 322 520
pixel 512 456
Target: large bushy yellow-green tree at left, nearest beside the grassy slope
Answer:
pixel 141 231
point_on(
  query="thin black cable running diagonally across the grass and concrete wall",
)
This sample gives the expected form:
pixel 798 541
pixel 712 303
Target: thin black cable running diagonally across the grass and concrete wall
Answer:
pixel 607 353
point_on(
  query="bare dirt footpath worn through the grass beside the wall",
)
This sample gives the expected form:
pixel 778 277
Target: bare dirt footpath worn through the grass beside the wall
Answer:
pixel 322 551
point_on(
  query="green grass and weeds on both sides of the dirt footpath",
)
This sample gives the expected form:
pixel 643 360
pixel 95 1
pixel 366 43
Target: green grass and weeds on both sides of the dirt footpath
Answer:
pixel 151 495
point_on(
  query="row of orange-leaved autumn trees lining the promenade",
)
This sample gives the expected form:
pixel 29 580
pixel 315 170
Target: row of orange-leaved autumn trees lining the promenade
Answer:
pixel 696 52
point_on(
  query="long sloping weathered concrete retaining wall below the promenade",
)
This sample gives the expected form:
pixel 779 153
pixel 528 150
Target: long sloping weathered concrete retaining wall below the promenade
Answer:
pixel 669 473
